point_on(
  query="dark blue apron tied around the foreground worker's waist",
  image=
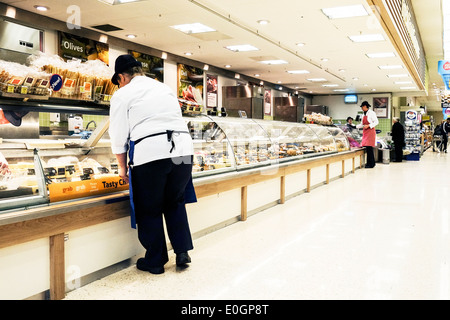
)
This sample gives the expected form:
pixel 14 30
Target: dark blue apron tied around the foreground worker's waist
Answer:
pixel 189 194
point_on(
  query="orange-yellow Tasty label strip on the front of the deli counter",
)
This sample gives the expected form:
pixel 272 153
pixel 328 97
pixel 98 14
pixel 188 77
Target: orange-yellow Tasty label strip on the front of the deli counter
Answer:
pixel 77 189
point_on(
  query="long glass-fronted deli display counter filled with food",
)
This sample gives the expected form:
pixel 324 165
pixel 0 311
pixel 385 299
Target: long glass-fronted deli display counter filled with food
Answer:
pixel 58 168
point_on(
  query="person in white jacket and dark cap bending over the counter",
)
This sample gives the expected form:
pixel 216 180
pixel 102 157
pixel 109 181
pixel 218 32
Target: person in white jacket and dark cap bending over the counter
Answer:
pixel 146 122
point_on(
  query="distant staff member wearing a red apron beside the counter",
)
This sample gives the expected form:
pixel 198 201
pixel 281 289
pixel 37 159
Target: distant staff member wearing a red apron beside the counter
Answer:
pixel 369 122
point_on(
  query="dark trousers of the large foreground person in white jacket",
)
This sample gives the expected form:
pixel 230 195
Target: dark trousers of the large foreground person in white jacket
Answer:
pixel 158 189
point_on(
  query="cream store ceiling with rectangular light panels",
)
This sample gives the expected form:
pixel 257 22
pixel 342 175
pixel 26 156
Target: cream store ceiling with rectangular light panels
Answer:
pixel 290 22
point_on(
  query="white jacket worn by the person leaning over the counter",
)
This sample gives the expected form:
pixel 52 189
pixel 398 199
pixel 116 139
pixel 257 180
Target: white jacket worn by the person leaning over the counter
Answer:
pixel 144 107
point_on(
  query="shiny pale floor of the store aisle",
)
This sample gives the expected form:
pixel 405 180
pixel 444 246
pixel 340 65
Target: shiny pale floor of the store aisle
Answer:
pixel 380 233
